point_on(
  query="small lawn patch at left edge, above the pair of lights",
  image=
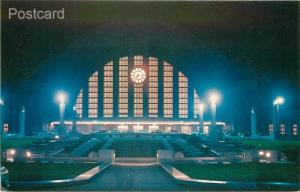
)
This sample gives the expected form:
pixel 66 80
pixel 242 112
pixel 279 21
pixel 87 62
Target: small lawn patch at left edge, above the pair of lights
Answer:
pixel 17 142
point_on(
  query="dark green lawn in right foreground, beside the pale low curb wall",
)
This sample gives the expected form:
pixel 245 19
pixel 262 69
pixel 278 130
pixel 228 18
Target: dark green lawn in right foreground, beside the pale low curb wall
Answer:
pixel 242 171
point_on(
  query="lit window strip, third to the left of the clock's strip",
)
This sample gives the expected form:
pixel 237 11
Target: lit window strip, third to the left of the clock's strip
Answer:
pixel 93 95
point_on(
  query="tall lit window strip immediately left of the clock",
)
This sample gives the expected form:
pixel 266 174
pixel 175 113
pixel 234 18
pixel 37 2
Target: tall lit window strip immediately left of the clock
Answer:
pixel 123 87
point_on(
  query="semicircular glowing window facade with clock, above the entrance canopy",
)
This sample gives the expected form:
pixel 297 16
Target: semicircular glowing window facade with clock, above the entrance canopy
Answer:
pixel 137 88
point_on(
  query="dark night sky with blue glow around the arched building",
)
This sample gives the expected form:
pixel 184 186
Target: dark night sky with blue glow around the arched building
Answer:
pixel 247 50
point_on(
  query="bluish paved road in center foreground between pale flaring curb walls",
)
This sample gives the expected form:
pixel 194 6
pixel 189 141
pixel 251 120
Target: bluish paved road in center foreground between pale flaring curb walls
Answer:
pixel 131 178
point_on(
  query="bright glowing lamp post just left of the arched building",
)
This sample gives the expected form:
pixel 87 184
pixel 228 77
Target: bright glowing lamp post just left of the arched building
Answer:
pixel 61 98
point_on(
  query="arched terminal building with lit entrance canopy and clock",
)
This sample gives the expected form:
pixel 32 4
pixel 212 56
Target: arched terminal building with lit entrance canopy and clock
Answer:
pixel 137 94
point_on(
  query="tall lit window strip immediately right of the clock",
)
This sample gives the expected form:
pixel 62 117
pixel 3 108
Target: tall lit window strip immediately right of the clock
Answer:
pixel 153 87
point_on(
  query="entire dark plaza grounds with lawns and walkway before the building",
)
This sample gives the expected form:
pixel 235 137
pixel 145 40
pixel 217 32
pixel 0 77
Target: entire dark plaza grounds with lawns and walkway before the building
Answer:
pixel 143 161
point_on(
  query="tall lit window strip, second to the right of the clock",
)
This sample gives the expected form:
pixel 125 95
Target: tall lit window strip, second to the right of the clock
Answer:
pixel 168 90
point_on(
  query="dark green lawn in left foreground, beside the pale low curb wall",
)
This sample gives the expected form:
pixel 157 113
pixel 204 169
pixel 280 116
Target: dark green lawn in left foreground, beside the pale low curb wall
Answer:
pixel 45 171
